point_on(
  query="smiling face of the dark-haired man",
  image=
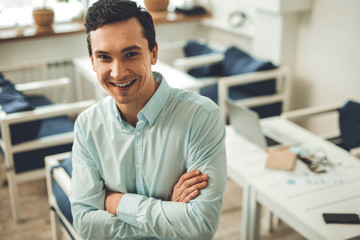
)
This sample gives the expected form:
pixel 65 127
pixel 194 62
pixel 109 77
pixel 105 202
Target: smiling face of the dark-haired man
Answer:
pixel 122 61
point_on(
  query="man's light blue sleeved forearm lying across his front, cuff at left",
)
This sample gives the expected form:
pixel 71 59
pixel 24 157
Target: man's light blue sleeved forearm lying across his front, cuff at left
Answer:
pixel 165 219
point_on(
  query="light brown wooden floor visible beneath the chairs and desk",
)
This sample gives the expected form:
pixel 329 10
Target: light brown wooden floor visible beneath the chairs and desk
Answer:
pixel 36 223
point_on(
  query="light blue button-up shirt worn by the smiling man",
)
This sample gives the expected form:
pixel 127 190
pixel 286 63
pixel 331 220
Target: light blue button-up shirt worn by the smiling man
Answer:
pixel 177 131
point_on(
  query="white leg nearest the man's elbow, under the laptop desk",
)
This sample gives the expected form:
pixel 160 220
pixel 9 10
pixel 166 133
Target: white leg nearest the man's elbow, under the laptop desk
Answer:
pixel 254 216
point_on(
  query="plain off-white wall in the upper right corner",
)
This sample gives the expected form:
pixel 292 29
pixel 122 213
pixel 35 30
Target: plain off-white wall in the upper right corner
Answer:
pixel 327 66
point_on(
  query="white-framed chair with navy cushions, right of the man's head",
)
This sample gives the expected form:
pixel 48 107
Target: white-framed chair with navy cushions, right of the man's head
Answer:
pixel 232 73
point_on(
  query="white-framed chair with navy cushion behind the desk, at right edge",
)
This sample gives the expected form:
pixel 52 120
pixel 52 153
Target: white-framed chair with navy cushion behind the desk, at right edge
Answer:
pixel 347 135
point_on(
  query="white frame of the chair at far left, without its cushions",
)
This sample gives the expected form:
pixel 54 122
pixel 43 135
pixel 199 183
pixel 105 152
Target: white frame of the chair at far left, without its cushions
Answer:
pixel 54 110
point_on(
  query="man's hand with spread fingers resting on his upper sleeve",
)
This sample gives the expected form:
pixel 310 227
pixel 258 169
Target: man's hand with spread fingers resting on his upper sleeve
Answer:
pixel 189 185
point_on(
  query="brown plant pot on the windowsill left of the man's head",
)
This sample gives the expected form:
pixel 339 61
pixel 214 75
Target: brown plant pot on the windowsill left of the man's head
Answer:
pixel 43 18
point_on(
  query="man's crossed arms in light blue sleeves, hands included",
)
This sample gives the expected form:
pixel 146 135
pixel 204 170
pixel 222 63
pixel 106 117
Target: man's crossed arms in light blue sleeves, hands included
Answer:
pixel 192 212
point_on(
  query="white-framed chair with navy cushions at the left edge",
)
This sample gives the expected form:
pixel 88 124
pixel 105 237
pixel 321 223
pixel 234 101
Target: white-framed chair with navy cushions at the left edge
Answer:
pixel 32 127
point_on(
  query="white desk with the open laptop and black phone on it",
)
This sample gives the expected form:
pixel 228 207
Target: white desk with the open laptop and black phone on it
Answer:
pixel 299 205
